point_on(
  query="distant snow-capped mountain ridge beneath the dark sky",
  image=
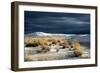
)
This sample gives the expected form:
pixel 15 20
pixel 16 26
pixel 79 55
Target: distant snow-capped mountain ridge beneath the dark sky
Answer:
pixel 80 37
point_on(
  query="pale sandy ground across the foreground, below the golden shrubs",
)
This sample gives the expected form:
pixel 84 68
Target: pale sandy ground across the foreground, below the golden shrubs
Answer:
pixel 32 55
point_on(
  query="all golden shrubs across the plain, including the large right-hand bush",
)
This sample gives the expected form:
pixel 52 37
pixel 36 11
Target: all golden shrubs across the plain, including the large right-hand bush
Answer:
pixel 44 42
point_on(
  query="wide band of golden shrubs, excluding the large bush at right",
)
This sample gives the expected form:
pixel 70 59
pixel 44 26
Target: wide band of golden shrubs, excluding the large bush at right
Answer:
pixel 45 42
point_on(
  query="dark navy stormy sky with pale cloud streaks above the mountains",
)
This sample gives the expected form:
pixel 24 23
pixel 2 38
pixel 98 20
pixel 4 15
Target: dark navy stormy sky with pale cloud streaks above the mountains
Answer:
pixel 51 22
